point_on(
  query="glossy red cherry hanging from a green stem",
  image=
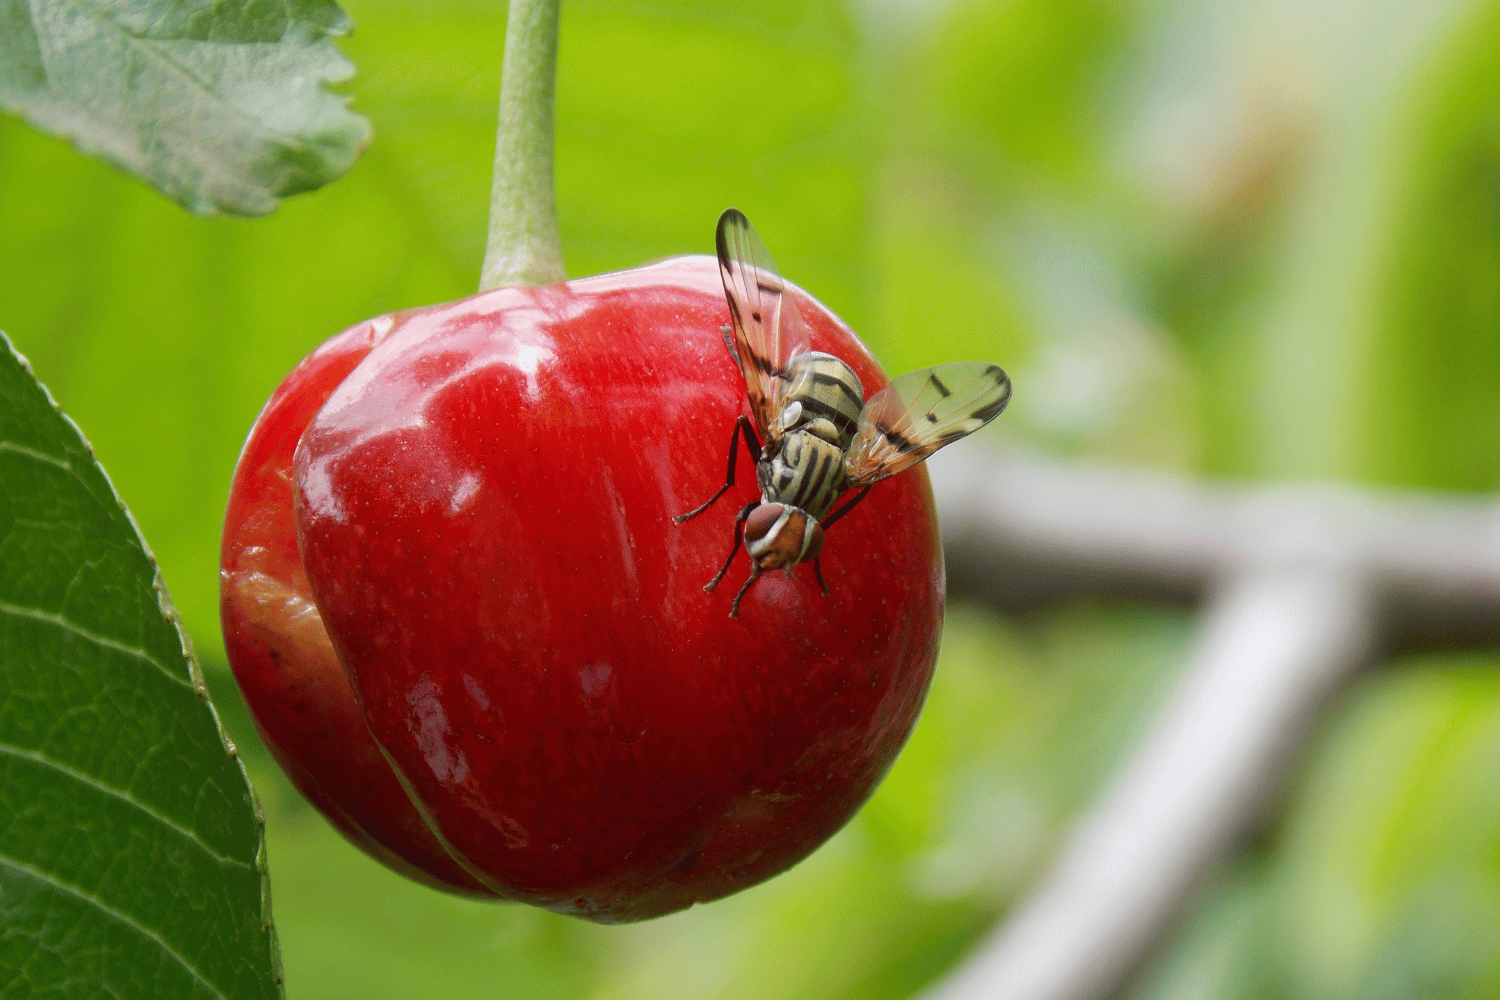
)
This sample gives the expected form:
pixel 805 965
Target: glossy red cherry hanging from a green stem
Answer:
pixel 485 515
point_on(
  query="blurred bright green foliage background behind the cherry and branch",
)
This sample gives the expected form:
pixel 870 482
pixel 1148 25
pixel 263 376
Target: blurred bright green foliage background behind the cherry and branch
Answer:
pixel 1258 241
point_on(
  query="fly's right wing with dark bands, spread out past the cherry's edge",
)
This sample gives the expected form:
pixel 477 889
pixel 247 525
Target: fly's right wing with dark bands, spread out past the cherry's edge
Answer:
pixel 923 412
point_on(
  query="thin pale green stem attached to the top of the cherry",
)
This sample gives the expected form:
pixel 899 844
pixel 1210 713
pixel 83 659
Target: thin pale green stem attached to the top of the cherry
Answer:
pixel 524 247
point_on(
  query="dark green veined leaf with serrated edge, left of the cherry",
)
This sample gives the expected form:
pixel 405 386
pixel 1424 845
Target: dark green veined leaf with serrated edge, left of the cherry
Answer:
pixel 131 852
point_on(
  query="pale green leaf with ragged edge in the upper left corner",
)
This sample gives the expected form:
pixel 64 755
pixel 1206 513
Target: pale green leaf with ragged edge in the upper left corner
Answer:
pixel 218 106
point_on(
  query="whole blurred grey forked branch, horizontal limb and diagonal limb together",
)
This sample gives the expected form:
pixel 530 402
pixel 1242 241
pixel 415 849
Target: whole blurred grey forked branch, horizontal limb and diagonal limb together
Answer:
pixel 1304 584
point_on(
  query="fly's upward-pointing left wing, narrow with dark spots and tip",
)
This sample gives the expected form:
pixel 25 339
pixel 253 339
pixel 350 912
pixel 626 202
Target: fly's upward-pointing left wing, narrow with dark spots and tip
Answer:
pixel 767 328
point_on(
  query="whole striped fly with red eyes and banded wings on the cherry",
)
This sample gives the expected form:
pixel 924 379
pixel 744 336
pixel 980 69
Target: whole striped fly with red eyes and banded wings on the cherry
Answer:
pixel 821 437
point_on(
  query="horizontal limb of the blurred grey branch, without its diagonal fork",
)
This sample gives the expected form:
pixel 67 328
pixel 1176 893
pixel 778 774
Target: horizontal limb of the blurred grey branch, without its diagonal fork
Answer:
pixel 1022 531
